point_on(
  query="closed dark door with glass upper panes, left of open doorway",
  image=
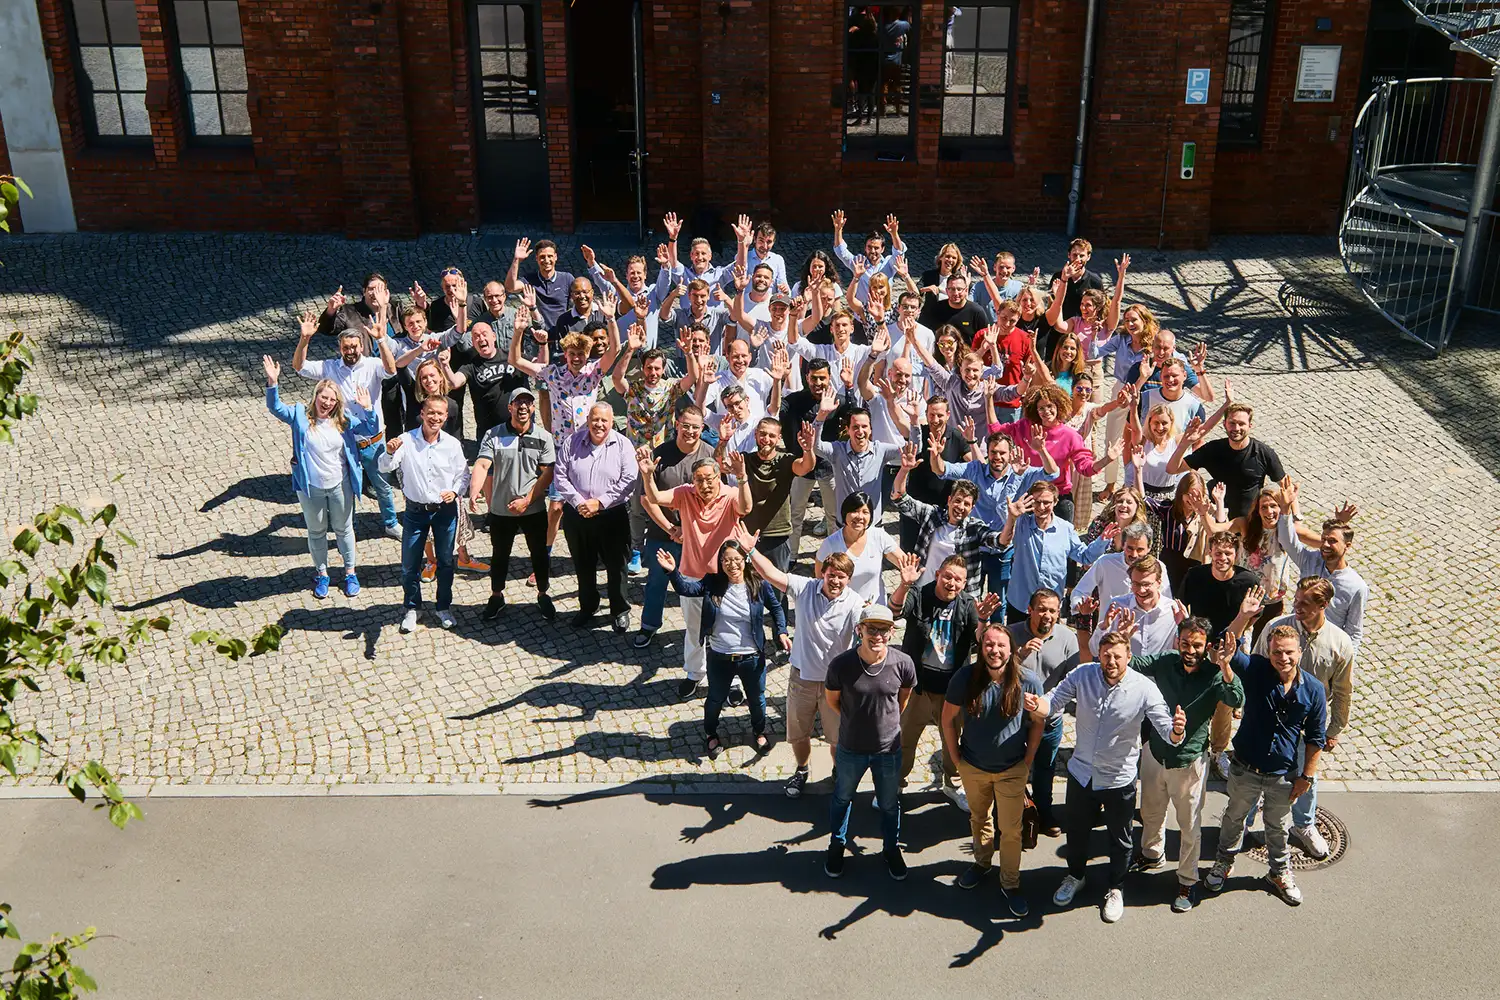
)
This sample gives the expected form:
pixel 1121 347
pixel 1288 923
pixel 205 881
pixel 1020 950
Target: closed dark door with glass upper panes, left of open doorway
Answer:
pixel 506 68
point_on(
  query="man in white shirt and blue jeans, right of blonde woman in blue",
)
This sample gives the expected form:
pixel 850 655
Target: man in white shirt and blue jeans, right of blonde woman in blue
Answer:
pixel 433 475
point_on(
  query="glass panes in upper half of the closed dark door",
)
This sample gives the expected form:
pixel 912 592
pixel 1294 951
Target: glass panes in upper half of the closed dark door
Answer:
pixel 511 94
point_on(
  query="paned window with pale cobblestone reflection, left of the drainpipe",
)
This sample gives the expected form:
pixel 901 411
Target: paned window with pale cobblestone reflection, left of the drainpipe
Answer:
pixel 977 79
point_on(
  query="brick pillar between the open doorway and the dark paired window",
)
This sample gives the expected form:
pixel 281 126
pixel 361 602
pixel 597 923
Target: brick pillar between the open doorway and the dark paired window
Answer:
pixel 737 133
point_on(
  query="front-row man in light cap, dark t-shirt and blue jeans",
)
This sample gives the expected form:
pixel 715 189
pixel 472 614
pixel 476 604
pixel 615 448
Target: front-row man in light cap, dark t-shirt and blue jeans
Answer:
pixel 869 687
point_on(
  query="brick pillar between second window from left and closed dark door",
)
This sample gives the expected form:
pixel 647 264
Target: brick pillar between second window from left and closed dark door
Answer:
pixel 374 145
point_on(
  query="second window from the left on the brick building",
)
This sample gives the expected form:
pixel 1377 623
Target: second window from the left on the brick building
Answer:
pixel 212 58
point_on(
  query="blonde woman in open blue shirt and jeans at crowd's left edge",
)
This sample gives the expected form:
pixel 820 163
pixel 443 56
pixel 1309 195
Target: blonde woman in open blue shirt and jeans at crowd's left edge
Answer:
pixel 326 469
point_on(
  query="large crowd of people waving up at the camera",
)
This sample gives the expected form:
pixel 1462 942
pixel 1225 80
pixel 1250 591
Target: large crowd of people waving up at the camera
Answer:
pixel 953 427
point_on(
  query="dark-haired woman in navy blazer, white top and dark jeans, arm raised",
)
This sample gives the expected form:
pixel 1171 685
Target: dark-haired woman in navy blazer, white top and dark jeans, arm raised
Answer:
pixel 733 630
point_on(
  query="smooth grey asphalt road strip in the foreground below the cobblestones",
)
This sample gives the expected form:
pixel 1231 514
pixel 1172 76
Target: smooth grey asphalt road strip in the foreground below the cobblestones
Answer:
pixel 652 897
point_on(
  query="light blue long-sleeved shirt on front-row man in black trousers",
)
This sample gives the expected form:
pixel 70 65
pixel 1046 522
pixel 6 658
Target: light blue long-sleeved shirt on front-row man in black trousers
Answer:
pixel 1108 723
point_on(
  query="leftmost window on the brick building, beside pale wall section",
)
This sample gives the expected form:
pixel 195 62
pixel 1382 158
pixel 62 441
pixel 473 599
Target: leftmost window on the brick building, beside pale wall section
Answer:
pixel 112 71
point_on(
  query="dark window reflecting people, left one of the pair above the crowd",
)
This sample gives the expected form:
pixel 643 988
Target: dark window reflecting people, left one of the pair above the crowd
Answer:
pixel 880 79
